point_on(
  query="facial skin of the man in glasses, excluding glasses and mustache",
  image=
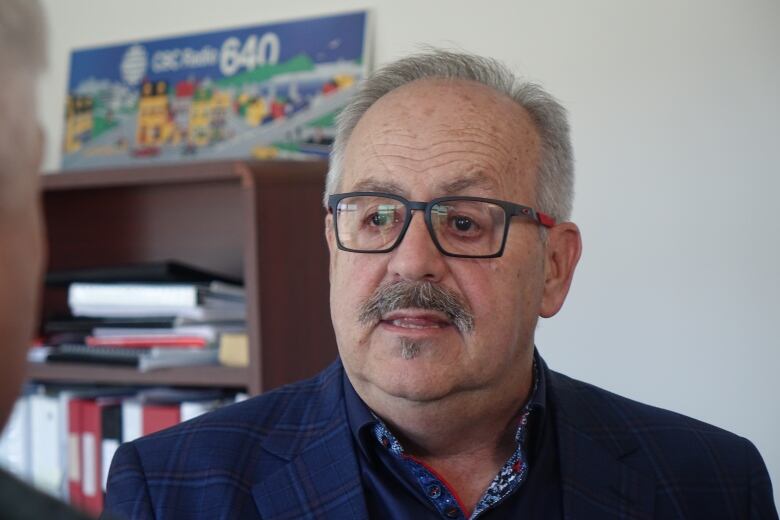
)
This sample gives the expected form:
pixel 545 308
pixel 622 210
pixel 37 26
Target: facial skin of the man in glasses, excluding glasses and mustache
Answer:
pixel 429 139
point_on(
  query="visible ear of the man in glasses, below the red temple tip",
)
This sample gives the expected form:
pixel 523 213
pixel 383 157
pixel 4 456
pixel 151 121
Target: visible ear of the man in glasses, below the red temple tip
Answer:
pixel 562 252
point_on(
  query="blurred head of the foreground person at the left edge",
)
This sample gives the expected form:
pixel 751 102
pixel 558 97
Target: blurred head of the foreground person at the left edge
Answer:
pixel 22 57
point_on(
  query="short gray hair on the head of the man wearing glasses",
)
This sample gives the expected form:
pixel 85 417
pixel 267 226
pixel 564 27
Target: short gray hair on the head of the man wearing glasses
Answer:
pixel 555 178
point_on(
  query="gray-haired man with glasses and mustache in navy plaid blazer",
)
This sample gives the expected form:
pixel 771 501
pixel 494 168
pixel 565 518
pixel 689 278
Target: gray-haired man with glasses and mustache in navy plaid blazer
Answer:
pixel 448 198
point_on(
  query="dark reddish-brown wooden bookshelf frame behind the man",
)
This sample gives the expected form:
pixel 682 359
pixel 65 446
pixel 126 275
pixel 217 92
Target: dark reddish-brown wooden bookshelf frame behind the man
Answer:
pixel 260 221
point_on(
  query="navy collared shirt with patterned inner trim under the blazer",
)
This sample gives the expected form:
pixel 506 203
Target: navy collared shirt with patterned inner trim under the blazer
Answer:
pixel 398 486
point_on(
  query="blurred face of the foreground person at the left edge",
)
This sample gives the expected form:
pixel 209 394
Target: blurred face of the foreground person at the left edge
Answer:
pixel 21 241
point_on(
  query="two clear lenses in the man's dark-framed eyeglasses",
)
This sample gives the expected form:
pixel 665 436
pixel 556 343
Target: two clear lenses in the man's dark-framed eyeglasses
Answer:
pixel 462 227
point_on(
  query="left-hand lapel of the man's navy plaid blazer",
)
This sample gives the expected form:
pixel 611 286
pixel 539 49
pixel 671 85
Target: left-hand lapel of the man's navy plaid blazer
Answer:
pixel 321 478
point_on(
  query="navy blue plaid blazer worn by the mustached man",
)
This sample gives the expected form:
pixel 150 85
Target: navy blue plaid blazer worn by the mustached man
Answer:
pixel 289 454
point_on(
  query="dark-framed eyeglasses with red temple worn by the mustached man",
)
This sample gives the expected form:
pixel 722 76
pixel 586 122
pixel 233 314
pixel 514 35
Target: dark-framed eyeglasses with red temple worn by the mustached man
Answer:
pixel 463 227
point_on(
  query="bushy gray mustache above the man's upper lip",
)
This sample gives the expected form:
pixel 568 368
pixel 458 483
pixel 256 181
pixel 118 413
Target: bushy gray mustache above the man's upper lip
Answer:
pixel 394 296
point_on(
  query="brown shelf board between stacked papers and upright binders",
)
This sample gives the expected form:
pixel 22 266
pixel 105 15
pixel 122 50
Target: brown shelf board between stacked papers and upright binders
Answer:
pixel 207 377
